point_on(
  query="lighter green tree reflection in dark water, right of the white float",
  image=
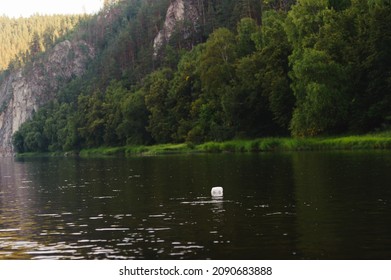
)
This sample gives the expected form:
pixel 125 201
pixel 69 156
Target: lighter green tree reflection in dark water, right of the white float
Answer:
pixel 317 236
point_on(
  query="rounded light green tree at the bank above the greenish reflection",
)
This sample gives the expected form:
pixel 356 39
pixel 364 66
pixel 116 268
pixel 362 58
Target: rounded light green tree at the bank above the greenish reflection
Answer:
pixel 322 107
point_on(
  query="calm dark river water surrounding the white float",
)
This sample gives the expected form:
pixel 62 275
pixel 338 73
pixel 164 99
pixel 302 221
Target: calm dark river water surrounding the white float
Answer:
pixel 308 205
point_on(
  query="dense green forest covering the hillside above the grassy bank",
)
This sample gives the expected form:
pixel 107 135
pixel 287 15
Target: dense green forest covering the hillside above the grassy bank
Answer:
pixel 248 69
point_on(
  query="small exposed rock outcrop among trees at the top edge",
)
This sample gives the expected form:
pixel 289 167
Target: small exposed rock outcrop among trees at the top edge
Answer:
pixel 179 12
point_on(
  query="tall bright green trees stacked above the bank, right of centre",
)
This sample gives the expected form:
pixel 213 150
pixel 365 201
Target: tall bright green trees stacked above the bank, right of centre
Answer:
pixel 318 79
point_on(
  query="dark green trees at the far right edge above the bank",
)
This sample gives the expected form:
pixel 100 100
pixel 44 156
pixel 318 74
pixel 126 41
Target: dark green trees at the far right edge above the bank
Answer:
pixel 371 60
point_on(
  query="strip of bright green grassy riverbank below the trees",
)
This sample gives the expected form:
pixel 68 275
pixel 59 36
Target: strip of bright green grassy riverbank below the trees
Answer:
pixel 363 142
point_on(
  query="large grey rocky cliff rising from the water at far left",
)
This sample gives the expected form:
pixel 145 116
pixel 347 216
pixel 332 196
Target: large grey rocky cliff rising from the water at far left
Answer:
pixel 24 90
